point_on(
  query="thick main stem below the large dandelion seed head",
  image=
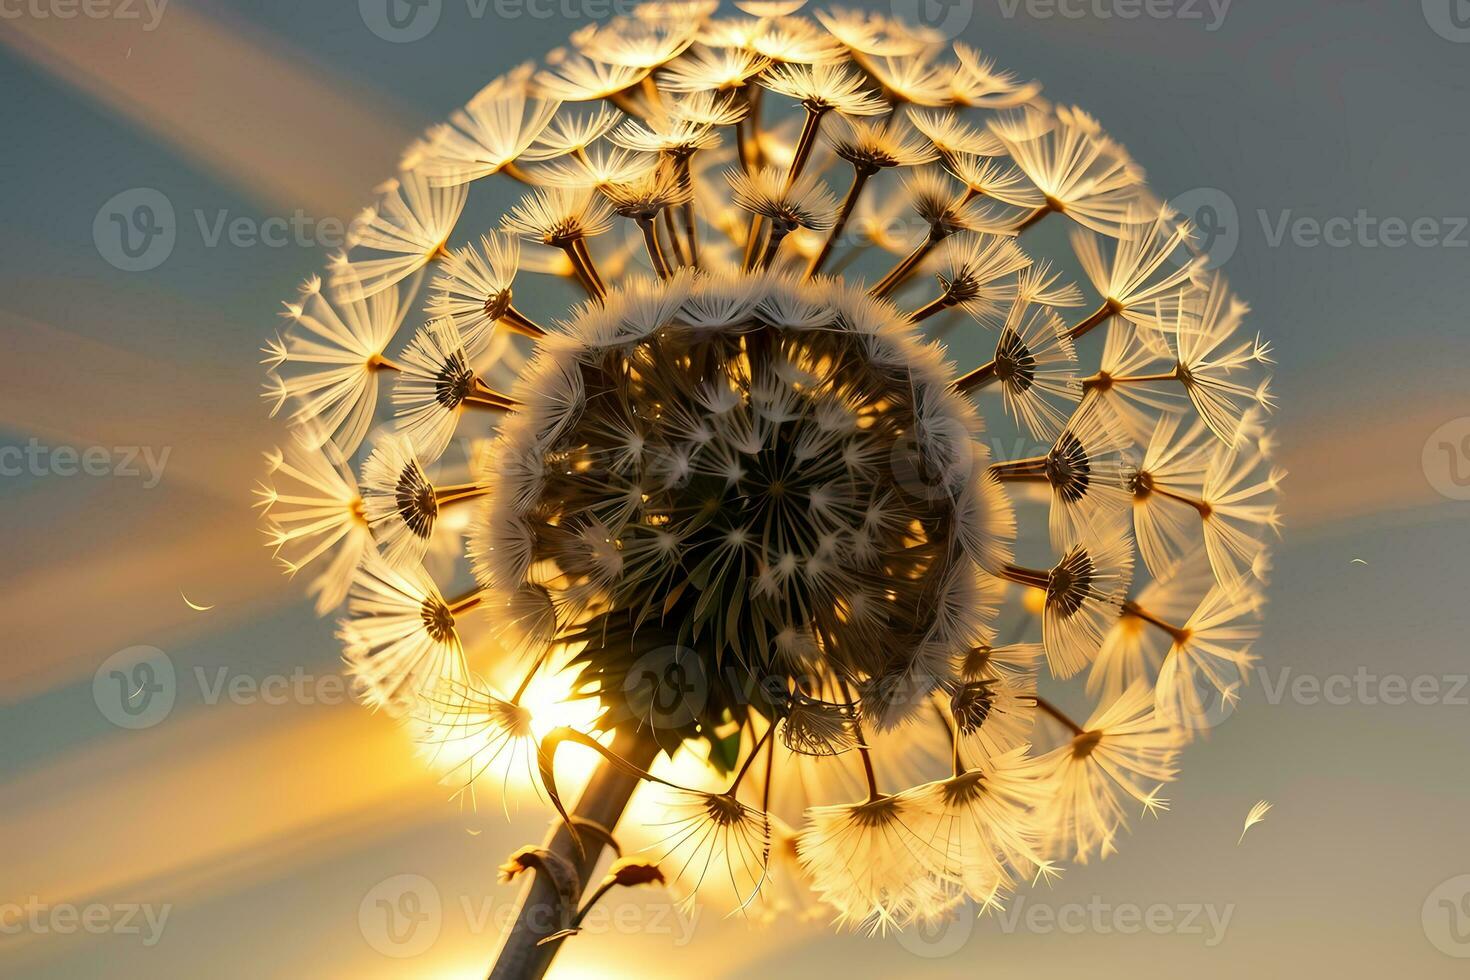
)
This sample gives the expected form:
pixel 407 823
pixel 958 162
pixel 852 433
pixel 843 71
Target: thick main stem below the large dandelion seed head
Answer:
pixel 523 954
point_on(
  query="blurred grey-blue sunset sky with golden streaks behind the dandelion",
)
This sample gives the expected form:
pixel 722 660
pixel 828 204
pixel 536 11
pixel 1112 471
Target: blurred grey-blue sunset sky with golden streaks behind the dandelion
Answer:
pixel 259 822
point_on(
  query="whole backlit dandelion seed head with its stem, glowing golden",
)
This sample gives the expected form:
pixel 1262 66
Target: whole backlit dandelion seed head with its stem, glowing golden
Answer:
pixel 739 502
